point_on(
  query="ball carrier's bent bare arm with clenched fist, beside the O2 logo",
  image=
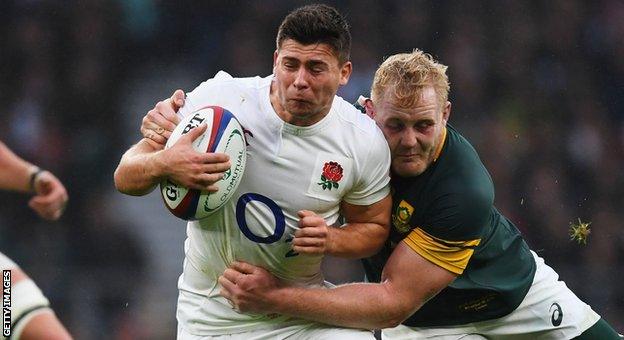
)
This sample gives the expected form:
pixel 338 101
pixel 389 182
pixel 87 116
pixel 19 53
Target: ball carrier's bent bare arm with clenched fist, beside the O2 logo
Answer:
pixel 363 235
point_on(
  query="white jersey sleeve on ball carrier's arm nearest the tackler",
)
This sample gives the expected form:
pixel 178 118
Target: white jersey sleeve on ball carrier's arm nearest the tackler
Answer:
pixel 373 183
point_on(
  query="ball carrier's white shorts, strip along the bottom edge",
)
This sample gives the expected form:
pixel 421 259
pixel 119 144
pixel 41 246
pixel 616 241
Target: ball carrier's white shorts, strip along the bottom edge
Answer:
pixel 295 332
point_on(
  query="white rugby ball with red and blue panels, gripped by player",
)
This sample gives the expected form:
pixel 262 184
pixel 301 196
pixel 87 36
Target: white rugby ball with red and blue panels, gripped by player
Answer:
pixel 224 134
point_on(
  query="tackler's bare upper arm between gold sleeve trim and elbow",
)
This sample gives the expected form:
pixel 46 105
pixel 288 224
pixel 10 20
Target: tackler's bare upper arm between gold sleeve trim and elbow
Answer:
pixel 412 279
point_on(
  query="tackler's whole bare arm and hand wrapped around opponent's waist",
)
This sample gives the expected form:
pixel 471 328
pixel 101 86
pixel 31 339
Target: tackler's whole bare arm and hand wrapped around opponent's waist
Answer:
pixel 408 281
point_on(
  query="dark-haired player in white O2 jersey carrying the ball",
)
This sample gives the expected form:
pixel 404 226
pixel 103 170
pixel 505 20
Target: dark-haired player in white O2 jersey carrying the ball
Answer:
pixel 306 164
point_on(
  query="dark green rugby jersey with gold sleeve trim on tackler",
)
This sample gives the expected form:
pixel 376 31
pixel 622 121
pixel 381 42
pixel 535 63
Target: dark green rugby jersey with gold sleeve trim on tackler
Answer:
pixel 447 215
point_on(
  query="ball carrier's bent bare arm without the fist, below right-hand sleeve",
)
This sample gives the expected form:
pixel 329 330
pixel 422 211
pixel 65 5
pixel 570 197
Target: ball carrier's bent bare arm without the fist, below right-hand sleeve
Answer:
pixel 364 233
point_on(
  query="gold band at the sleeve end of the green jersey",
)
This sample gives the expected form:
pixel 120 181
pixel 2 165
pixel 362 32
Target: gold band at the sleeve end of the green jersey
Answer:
pixel 450 255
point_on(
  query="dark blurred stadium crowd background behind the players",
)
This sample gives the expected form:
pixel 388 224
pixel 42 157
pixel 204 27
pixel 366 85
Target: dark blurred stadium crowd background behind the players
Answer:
pixel 537 86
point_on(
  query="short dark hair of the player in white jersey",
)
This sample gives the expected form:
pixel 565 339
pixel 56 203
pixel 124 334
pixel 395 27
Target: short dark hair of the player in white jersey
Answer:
pixel 317 23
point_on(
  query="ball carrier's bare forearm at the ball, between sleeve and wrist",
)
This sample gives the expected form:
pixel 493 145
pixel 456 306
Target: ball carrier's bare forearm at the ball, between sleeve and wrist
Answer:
pixel 139 170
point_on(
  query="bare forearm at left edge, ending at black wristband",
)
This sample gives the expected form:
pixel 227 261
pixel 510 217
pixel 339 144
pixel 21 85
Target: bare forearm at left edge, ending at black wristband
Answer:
pixel 14 171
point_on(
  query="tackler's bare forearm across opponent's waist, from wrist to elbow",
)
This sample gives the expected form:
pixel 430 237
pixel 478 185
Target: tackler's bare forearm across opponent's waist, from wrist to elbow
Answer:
pixel 358 305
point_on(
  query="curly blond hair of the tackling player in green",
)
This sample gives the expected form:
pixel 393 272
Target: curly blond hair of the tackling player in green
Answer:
pixel 406 74
